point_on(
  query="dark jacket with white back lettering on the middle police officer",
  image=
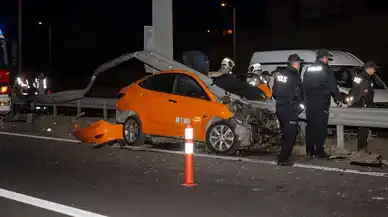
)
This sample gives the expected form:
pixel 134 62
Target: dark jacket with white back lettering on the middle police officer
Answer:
pixel 319 79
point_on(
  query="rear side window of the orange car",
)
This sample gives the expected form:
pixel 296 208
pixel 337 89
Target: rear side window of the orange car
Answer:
pixel 161 83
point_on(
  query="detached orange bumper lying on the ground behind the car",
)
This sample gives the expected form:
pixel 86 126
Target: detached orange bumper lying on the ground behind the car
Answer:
pixel 99 132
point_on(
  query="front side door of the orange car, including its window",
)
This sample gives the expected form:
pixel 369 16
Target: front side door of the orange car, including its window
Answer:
pixel 192 105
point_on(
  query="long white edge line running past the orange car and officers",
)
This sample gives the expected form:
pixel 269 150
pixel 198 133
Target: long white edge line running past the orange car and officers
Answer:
pixel 305 166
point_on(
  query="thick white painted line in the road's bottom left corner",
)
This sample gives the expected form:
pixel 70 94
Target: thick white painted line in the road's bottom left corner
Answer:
pixel 48 205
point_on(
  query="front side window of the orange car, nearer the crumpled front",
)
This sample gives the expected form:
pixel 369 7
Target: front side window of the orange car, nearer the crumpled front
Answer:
pixel 187 86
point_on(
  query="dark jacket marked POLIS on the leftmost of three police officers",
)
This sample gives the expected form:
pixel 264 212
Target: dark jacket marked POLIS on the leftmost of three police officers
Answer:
pixel 287 86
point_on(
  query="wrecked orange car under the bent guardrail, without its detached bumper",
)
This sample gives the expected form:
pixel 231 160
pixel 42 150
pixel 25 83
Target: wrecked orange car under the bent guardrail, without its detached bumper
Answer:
pixel 161 104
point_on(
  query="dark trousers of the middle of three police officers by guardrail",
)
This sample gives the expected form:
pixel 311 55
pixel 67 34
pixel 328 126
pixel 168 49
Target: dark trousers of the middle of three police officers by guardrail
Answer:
pixel 317 114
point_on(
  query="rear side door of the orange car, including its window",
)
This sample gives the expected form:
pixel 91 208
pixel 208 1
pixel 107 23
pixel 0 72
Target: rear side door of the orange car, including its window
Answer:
pixel 156 104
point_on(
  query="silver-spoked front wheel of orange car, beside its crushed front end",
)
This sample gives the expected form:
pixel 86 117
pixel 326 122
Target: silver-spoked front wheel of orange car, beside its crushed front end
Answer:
pixel 221 139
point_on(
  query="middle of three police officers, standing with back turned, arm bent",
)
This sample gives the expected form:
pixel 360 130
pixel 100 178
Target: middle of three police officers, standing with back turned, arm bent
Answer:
pixel 319 84
